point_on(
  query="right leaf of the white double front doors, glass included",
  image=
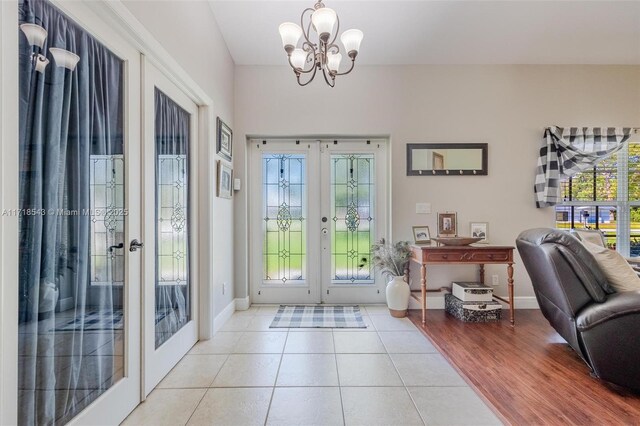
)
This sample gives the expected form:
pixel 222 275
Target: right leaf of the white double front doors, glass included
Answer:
pixel 354 203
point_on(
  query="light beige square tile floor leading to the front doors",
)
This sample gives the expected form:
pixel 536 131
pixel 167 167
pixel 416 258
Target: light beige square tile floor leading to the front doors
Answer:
pixel 248 374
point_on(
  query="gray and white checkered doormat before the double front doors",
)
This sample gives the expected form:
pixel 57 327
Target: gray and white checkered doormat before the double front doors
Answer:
pixel 318 317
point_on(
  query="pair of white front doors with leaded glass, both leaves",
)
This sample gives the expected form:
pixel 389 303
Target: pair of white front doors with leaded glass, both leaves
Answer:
pixel 316 208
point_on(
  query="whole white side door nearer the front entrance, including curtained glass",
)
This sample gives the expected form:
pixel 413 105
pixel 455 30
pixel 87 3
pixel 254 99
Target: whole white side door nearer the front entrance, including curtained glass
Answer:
pixel 170 236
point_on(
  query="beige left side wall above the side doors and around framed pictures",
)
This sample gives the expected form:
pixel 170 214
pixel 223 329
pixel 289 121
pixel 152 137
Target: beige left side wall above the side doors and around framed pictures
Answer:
pixel 190 34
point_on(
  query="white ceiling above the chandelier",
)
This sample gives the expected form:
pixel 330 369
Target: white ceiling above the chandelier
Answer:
pixel 448 32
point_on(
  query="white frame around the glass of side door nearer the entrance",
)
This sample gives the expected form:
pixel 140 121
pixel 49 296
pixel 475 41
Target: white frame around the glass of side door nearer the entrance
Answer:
pixel 157 362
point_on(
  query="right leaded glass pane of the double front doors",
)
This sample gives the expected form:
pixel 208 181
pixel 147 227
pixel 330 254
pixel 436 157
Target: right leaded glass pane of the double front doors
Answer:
pixel 352 218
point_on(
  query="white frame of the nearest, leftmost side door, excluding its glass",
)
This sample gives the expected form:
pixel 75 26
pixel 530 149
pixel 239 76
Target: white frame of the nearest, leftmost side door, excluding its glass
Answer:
pixel 121 398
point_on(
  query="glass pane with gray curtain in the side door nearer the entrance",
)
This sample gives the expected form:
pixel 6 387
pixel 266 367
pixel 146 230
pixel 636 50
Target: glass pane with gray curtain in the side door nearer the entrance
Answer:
pixel 172 232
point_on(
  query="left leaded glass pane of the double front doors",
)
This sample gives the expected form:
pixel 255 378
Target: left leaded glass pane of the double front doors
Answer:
pixel 284 229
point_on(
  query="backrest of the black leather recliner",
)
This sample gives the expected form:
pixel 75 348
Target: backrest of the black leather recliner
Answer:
pixel 565 277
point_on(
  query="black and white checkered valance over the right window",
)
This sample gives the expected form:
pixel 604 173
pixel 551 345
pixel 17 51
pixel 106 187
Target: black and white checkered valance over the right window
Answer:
pixel 567 151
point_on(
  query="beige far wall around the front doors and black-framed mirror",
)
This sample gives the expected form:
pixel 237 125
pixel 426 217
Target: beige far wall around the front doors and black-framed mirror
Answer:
pixel 504 106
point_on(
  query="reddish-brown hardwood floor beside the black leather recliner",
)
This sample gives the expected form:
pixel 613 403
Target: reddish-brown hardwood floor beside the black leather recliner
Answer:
pixel 527 372
